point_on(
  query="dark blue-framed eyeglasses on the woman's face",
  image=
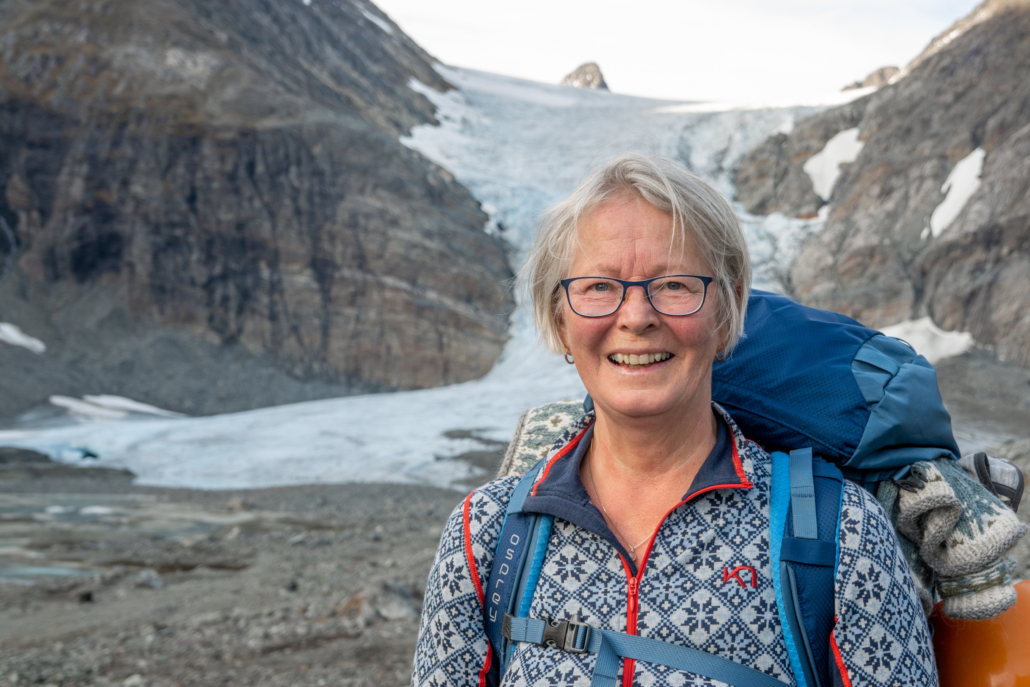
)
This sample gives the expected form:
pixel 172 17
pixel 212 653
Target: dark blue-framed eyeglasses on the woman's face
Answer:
pixel 676 295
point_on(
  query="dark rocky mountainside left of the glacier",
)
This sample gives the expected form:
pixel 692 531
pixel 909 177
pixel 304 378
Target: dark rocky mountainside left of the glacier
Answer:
pixel 213 210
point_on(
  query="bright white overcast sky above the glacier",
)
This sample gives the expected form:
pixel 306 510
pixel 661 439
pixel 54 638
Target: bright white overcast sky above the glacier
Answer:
pixel 777 51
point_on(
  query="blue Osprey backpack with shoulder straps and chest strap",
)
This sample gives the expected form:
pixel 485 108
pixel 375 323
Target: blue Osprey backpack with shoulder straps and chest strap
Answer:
pixel 802 382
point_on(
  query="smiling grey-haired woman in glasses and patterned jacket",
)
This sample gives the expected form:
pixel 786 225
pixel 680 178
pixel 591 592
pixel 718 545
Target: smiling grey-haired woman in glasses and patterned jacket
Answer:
pixel 641 279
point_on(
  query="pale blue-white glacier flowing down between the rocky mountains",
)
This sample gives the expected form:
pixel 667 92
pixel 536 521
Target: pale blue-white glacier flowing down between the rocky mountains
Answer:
pixel 519 147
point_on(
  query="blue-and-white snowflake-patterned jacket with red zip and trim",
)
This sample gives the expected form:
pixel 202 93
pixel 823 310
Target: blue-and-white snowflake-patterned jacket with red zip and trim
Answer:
pixel 684 592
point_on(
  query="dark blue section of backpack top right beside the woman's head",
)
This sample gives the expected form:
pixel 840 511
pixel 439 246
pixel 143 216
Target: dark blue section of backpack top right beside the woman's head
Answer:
pixel 789 383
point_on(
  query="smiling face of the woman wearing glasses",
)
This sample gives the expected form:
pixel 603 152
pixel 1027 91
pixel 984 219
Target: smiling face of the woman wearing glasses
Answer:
pixel 629 238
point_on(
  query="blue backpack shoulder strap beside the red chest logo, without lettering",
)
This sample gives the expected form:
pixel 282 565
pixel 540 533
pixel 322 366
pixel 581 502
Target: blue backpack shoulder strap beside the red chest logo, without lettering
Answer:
pixel 805 532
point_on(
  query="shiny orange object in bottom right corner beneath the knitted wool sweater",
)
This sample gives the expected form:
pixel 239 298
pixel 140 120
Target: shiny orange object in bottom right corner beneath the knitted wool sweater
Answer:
pixel 985 654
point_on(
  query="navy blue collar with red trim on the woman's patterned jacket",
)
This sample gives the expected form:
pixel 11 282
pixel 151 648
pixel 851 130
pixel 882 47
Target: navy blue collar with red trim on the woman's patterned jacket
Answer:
pixel 562 493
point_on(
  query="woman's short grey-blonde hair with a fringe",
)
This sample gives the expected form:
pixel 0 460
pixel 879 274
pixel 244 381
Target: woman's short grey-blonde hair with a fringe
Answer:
pixel 699 212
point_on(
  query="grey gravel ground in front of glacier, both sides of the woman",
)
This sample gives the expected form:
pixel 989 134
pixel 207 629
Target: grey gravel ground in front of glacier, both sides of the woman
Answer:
pixel 313 586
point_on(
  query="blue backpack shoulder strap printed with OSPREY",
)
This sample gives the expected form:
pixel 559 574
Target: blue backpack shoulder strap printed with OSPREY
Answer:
pixel 518 563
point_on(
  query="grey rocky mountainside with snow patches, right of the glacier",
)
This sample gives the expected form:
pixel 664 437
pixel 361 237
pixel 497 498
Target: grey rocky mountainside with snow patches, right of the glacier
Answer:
pixel 892 249
